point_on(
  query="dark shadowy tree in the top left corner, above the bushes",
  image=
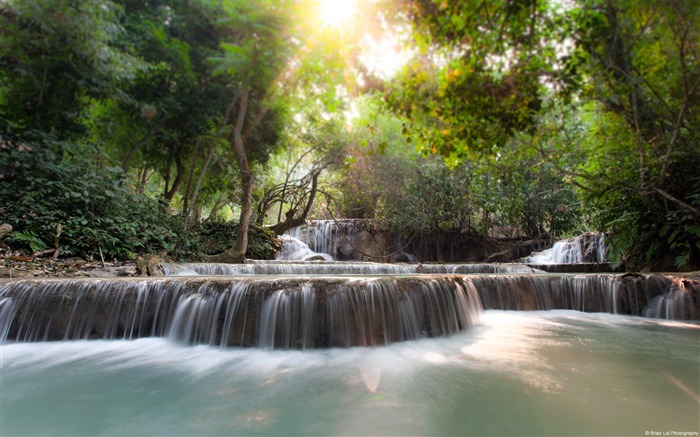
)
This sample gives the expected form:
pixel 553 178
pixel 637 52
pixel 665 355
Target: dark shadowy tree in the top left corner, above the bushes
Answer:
pixel 55 57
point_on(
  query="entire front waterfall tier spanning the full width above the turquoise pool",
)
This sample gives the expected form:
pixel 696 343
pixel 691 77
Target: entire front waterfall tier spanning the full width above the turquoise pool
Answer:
pixel 298 311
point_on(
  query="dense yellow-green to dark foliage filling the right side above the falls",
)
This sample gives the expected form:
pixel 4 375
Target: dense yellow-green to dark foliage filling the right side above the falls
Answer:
pixel 571 115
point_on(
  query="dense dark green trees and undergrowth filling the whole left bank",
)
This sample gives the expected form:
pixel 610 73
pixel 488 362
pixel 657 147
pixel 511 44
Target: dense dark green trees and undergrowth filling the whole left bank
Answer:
pixel 111 119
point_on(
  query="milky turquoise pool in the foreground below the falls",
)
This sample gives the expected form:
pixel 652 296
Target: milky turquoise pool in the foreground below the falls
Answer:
pixel 518 373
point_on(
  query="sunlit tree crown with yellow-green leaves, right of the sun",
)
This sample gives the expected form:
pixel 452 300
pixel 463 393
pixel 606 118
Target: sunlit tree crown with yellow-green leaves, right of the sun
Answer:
pixel 478 77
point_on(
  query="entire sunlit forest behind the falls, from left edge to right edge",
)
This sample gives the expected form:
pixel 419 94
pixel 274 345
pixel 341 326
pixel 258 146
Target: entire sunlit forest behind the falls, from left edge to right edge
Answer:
pixel 142 126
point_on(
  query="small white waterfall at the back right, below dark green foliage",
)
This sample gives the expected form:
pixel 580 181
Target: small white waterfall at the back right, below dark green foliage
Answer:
pixel 587 248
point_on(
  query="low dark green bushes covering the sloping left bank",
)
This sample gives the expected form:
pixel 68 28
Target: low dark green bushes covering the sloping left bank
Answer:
pixel 89 212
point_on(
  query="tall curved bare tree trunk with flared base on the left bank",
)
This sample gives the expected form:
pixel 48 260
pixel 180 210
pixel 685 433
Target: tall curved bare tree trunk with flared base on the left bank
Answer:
pixel 237 253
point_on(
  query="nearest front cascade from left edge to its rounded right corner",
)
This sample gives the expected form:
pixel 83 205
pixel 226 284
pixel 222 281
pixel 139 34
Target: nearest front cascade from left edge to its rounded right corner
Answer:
pixel 284 313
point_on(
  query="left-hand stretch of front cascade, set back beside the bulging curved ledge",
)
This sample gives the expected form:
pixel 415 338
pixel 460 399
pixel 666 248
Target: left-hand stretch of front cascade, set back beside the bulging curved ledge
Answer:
pixel 75 309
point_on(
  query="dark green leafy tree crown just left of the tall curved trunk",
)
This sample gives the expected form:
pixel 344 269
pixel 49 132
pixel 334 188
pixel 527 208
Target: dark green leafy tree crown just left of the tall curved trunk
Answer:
pixel 169 124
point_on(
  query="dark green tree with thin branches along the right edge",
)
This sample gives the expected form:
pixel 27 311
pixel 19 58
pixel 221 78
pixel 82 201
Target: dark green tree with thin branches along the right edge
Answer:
pixel 642 70
